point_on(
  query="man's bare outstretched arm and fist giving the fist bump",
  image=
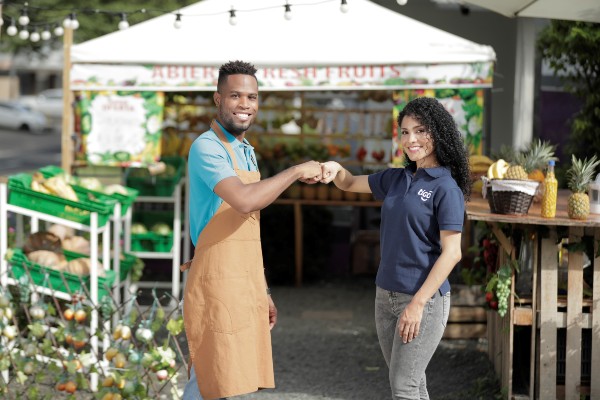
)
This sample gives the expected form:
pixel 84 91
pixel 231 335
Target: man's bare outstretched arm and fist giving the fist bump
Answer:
pixel 246 198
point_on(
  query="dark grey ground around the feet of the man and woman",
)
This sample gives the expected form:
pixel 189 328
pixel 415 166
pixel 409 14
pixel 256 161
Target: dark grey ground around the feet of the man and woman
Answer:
pixel 325 347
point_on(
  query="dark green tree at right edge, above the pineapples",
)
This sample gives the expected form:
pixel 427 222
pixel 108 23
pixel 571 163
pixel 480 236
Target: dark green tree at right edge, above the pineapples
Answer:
pixel 572 51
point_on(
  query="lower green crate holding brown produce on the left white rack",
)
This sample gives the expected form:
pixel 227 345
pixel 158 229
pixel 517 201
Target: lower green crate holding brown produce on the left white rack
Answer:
pixel 71 282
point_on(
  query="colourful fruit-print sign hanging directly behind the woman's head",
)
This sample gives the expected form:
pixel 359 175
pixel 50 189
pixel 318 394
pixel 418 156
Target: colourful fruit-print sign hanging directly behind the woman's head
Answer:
pixel 465 106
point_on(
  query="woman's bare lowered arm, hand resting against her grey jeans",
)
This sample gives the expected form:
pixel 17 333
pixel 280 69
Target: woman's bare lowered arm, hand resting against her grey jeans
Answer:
pixel 410 320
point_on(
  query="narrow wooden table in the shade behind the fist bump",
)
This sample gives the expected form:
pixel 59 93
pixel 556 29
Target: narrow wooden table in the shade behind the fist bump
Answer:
pixel 298 224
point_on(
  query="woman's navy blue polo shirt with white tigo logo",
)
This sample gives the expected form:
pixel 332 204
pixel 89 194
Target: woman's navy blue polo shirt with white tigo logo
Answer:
pixel 415 209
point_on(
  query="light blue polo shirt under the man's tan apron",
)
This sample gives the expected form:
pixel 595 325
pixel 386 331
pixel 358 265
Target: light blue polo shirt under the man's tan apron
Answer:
pixel 208 164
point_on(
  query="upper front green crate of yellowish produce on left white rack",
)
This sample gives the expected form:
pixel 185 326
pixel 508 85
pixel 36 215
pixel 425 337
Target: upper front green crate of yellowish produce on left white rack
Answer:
pixel 21 194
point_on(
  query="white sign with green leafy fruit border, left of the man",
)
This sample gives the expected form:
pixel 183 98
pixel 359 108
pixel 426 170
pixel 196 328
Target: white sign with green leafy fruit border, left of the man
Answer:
pixel 120 128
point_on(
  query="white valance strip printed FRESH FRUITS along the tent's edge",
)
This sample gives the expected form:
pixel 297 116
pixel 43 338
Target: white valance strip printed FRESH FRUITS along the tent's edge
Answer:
pixel 189 77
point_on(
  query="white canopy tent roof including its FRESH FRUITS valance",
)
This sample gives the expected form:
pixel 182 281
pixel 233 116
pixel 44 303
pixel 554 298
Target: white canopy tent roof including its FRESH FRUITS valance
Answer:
pixel 319 48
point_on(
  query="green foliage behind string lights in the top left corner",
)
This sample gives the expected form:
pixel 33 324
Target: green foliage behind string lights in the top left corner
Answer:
pixel 91 23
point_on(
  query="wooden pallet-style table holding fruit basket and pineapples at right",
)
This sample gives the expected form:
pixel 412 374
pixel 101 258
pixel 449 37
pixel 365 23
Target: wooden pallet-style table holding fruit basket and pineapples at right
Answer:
pixel 545 310
